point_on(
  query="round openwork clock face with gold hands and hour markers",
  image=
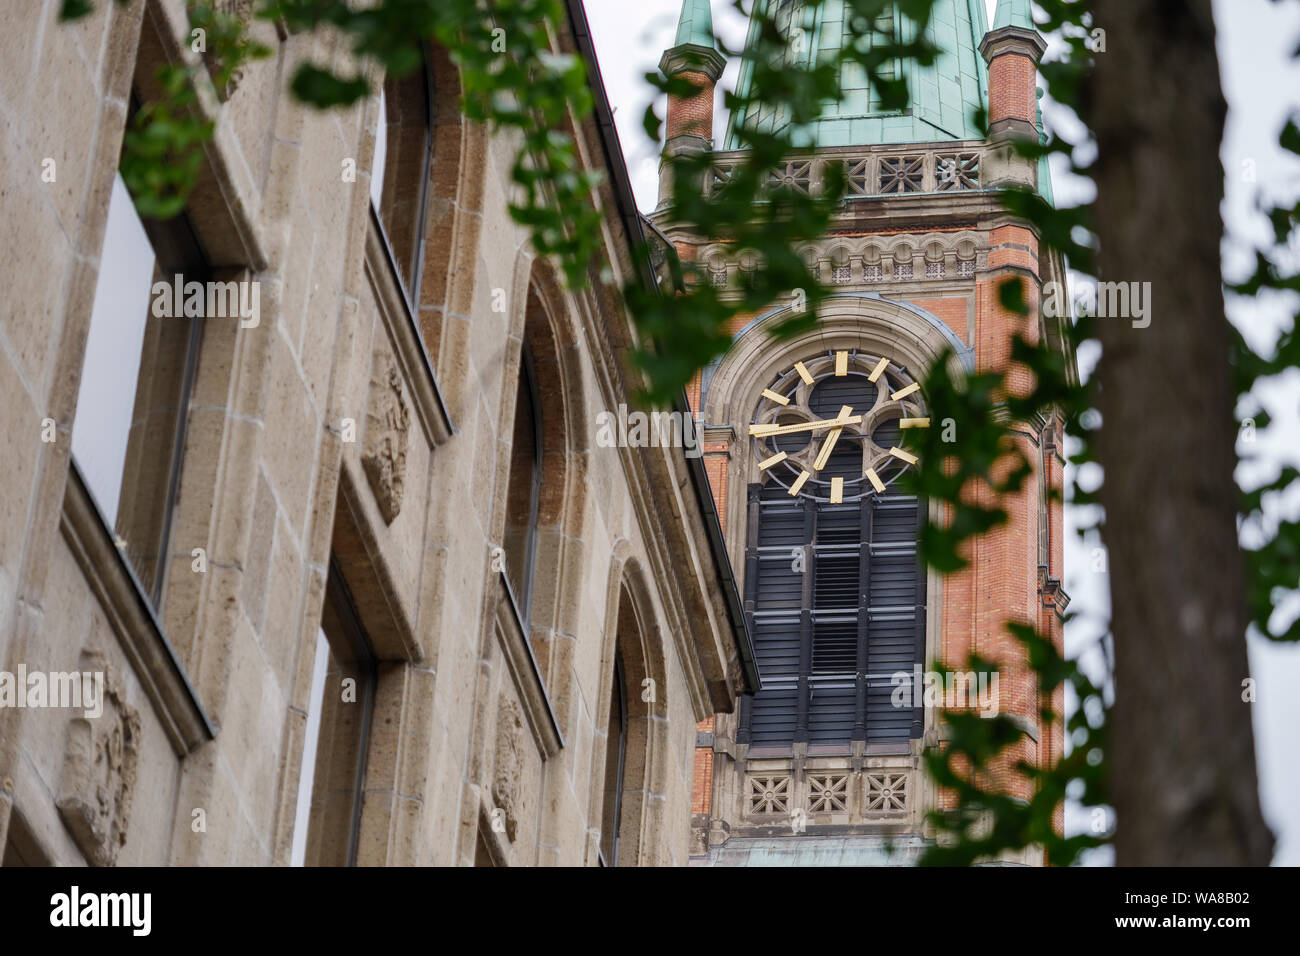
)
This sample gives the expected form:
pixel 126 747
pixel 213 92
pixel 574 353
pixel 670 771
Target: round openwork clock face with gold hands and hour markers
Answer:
pixel 830 427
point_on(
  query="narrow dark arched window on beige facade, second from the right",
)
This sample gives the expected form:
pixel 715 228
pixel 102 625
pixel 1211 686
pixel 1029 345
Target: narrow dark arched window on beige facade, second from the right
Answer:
pixel 525 490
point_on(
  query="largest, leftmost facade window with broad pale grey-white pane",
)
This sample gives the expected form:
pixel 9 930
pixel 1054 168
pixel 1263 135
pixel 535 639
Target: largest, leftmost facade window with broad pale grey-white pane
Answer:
pixel 135 395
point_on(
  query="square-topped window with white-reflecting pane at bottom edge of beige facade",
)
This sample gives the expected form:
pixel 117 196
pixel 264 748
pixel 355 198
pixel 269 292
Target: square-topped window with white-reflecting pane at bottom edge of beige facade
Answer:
pixel 335 754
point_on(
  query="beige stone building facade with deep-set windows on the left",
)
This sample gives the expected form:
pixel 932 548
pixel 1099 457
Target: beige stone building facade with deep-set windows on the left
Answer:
pixel 350 570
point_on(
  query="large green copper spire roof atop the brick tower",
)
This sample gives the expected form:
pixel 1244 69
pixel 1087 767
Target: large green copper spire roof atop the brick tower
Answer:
pixel 944 97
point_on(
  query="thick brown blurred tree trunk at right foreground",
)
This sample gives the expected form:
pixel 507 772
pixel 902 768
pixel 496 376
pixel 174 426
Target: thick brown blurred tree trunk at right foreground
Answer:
pixel 1182 760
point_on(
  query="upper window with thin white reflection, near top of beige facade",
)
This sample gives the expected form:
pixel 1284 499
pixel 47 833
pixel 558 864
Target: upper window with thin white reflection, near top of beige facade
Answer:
pixel 400 175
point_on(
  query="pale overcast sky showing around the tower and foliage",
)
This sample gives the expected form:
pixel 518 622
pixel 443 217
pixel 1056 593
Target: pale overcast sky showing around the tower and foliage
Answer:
pixel 1256 38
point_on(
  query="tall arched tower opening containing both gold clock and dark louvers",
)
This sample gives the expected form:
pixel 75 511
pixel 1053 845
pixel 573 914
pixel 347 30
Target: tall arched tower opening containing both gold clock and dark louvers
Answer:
pixel 833 574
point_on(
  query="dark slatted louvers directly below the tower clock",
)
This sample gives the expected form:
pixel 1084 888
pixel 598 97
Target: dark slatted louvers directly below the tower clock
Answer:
pixel 829 642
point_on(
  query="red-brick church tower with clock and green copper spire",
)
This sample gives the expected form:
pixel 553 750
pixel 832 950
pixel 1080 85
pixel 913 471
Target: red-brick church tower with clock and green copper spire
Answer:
pixel 824 765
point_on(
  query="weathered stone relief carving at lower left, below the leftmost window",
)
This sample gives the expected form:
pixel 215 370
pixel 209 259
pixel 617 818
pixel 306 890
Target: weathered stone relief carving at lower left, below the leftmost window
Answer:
pixel 99 771
